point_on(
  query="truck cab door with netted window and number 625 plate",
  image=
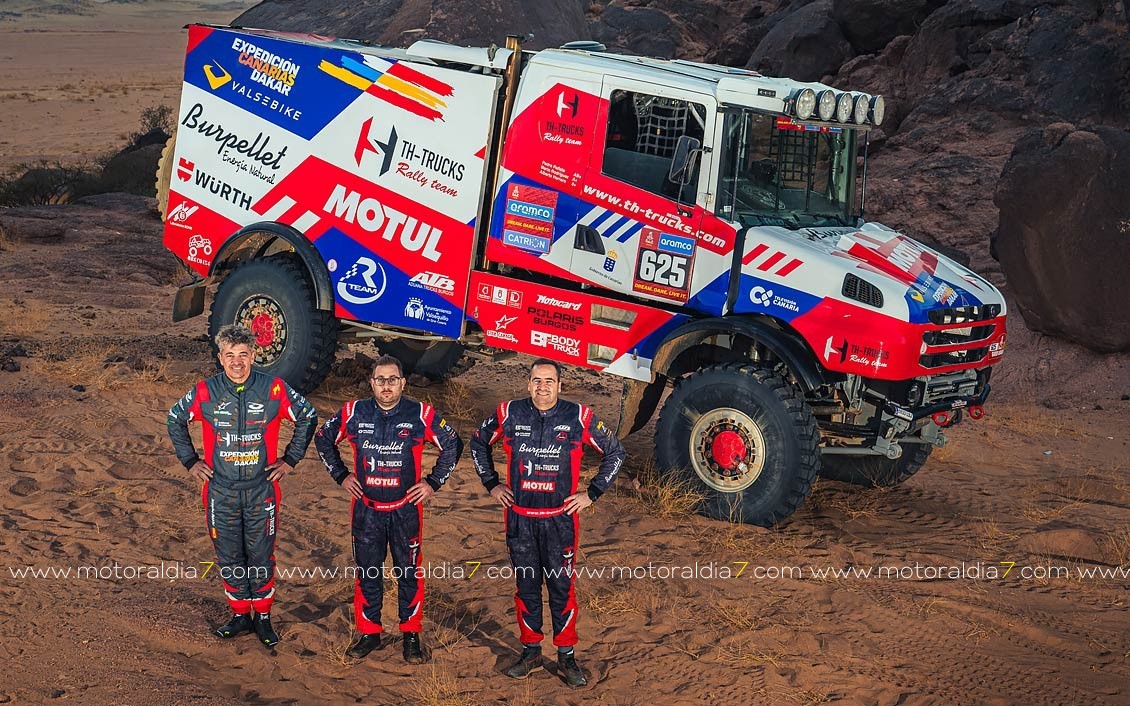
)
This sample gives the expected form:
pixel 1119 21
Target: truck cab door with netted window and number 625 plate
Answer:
pixel 637 232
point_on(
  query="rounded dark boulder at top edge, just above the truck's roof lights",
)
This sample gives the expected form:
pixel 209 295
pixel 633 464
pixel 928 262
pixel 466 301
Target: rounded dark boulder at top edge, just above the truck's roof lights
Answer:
pixel 805 46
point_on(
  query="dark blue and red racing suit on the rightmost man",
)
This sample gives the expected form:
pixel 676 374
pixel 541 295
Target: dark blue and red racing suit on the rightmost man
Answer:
pixel 544 451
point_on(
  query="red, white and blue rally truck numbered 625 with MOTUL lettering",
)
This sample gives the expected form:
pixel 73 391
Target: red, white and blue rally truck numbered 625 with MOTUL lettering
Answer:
pixel 694 230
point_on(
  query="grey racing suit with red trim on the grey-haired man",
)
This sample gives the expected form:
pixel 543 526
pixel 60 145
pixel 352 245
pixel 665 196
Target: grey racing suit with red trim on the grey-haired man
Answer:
pixel 241 430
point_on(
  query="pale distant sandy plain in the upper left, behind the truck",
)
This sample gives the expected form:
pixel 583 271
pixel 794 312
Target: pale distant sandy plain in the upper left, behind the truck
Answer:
pixel 77 74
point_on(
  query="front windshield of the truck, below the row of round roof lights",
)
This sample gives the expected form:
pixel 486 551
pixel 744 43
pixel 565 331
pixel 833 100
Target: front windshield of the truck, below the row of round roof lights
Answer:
pixel 776 172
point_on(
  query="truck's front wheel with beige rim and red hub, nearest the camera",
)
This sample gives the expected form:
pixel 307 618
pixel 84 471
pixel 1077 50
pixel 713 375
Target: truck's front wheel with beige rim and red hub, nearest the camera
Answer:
pixel 742 437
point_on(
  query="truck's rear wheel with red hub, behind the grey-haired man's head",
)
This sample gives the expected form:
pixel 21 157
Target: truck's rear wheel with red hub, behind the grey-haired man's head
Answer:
pixel 275 300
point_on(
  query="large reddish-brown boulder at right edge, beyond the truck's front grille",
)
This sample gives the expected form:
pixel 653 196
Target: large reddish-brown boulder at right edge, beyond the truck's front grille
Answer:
pixel 1065 224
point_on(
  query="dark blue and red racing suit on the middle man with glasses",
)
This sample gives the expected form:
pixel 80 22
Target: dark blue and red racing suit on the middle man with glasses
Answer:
pixel 388 454
